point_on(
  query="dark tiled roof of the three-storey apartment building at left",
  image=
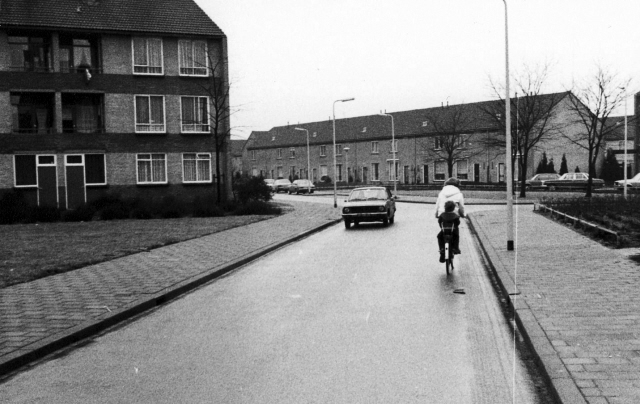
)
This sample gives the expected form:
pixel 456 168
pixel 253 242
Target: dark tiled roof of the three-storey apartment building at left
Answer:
pixel 151 16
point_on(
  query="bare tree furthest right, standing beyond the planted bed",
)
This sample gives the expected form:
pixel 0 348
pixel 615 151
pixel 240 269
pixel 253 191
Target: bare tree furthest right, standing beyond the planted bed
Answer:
pixel 592 104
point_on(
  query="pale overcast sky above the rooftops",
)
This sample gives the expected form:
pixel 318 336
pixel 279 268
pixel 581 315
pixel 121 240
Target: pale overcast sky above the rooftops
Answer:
pixel 291 59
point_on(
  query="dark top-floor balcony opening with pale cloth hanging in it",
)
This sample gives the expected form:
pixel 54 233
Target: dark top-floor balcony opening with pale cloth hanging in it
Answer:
pixel 78 53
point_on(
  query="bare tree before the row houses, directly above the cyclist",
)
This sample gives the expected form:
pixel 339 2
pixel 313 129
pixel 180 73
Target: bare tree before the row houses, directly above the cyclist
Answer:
pixel 454 128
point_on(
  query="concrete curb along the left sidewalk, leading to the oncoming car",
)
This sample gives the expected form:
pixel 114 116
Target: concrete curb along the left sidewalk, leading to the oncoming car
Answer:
pixel 69 336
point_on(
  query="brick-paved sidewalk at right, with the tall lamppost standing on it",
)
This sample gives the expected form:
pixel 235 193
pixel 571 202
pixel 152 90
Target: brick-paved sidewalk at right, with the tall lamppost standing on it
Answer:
pixel 578 302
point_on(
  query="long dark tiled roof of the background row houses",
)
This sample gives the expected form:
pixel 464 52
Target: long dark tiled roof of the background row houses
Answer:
pixel 418 122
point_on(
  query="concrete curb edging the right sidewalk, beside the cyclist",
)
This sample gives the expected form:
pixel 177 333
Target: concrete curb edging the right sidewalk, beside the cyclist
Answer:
pixel 557 376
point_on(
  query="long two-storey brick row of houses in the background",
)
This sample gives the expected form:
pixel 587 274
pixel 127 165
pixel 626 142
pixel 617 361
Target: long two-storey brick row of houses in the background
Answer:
pixel 429 144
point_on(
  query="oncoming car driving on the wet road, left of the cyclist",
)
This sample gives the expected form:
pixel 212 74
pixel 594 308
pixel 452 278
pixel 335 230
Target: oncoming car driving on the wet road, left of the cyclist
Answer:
pixel 369 204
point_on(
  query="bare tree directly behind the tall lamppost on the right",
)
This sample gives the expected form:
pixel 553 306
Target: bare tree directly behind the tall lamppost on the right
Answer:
pixel 532 121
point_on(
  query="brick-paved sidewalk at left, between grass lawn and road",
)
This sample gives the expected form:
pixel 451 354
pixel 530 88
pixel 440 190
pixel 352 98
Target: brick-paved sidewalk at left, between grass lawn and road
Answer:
pixel 40 316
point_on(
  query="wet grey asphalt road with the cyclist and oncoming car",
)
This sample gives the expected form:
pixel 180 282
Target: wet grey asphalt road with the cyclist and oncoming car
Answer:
pixel 365 315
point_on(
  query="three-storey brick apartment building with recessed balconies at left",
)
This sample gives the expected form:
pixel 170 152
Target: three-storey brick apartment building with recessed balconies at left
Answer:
pixel 108 96
